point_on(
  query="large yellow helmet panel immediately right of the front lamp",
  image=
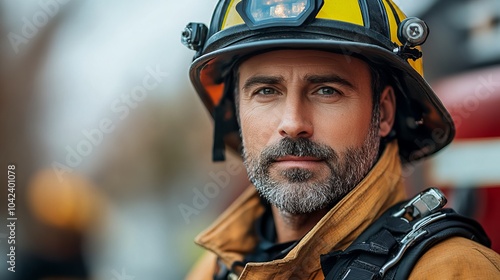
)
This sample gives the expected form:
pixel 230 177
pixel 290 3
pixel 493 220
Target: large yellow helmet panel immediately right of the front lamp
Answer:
pixel 342 10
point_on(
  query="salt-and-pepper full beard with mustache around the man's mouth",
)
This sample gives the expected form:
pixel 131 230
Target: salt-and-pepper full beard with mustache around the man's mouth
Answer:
pixel 301 192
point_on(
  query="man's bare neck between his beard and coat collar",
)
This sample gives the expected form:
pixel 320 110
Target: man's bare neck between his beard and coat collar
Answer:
pixel 291 227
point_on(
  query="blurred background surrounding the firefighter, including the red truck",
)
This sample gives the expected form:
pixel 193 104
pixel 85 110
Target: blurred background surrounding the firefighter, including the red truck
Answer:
pixel 112 147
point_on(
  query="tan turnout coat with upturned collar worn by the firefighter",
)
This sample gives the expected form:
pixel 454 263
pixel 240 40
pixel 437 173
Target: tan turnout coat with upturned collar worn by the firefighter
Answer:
pixel 231 236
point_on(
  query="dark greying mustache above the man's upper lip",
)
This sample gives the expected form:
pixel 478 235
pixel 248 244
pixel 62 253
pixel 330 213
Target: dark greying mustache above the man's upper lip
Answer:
pixel 300 147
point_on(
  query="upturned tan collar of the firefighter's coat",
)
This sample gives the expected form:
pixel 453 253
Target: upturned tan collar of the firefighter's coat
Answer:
pixel 232 234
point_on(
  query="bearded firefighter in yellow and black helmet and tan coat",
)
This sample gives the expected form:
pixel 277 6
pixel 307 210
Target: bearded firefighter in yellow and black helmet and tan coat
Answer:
pixel 325 100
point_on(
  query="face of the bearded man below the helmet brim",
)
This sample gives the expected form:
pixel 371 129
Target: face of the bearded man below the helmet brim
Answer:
pixel 308 131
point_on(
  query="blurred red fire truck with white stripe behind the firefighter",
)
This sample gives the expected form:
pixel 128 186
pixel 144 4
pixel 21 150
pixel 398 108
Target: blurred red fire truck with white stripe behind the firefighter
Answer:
pixel 468 170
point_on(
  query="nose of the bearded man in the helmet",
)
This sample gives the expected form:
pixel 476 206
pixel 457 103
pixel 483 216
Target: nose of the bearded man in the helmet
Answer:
pixel 295 118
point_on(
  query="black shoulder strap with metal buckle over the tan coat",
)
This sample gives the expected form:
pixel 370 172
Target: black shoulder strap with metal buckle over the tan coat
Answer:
pixel 391 246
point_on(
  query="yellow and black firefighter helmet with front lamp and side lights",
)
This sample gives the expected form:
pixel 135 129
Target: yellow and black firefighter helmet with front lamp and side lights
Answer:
pixel 374 30
